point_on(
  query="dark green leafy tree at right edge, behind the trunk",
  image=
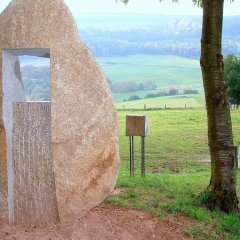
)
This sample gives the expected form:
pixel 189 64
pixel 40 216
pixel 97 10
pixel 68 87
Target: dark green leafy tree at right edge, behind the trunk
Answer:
pixel 232 75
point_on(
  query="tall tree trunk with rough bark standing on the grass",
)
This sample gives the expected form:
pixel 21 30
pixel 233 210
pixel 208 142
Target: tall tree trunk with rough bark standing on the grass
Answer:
pixel 222 187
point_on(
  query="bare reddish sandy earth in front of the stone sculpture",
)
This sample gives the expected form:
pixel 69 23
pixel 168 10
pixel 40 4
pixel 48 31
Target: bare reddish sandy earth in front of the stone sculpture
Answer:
pixel 102 223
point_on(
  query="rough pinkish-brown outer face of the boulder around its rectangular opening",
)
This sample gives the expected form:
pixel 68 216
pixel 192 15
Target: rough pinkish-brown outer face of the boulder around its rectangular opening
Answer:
pixel 83 118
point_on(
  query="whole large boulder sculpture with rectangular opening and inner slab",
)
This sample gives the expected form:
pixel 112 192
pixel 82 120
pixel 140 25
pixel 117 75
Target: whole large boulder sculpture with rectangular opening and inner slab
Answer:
pixel 58 159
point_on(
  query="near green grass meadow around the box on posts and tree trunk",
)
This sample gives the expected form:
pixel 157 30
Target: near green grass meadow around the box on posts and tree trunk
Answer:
pixel 174 179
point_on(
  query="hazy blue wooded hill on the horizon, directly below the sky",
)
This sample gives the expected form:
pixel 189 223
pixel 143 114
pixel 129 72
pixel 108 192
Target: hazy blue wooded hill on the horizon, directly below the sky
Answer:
pixel 127 34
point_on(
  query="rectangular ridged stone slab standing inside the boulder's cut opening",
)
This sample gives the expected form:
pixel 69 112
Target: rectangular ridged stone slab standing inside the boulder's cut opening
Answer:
pixel 34 187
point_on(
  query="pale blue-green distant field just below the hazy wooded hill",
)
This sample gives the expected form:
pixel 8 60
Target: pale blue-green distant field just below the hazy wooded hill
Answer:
pixel 163 69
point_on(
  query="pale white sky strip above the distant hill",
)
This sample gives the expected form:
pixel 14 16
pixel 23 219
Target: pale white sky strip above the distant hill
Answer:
pixel 184 7
